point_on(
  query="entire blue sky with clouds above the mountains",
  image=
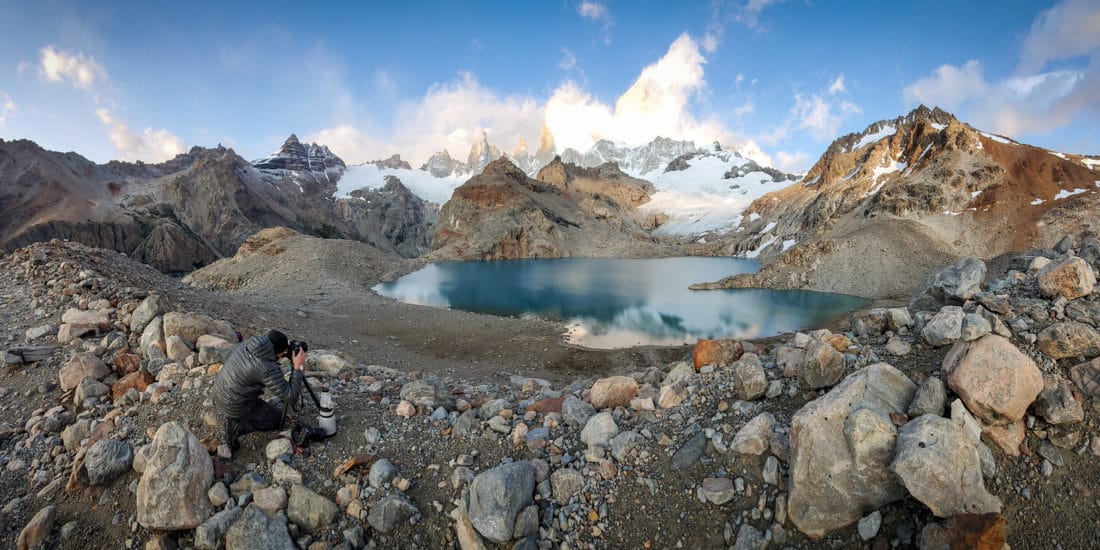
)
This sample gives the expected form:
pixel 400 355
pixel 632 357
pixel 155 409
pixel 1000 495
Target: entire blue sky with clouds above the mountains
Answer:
pixel 146 81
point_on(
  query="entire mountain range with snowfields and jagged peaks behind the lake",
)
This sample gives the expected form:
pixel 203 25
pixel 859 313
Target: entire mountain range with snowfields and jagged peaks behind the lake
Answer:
pixel 915 191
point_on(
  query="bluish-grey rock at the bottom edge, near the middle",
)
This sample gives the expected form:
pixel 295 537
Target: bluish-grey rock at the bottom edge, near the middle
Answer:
pixel 498 497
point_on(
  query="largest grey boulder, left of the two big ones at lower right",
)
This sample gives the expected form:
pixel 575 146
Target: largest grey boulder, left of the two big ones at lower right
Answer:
pixel 842 445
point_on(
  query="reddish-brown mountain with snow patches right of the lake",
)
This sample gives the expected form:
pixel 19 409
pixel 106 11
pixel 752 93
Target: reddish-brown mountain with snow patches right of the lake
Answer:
pixel 906 196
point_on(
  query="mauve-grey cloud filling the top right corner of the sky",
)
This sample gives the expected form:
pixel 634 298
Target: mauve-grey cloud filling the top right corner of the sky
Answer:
pixel 1069 30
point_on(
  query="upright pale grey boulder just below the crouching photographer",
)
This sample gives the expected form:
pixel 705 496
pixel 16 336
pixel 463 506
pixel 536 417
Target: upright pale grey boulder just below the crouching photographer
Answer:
pixel 172 494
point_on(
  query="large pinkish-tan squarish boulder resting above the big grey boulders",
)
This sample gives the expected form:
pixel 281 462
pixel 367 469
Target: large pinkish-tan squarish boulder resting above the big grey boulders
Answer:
pixel 995 380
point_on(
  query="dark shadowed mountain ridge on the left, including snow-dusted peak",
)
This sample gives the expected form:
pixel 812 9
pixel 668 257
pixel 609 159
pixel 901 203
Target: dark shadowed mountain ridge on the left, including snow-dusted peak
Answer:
pixel 197 207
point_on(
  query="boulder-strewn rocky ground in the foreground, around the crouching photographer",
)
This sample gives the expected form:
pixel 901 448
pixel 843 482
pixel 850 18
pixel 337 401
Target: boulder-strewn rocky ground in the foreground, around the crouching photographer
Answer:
pixel 472 432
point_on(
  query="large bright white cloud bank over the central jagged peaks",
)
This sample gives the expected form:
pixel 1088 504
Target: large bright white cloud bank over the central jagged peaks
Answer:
pixel 449 115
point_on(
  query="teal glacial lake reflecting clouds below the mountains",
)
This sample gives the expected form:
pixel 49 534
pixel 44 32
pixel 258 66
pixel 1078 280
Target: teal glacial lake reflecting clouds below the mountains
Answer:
pixel 622 303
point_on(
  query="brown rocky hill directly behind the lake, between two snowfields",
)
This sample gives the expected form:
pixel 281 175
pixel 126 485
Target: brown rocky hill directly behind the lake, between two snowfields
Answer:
pixel 569 212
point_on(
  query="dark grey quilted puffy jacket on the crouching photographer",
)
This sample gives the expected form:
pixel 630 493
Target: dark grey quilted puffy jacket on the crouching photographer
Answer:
pixel 250 369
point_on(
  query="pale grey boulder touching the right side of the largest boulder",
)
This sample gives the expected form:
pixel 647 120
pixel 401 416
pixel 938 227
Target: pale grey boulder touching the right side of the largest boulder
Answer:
pixel 940 466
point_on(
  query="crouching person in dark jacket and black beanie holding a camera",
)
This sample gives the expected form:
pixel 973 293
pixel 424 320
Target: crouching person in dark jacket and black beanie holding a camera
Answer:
pixel 252 367
